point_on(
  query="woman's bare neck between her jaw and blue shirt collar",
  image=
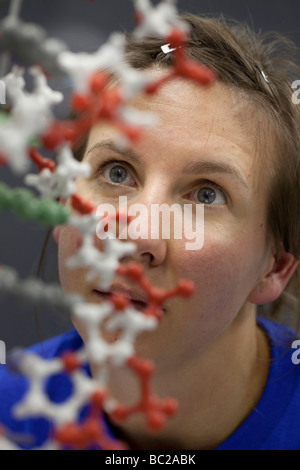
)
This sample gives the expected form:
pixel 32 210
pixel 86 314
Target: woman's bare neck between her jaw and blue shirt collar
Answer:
pixel 216 391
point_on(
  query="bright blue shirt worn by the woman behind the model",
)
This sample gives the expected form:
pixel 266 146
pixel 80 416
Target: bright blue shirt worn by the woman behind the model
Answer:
pixel 274 424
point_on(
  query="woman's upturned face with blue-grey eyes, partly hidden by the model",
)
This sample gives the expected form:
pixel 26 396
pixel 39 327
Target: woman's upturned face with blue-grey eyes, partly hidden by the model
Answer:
pixel 203 151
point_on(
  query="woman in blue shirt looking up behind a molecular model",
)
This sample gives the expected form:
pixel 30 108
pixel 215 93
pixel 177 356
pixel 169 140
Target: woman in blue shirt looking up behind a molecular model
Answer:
pixel 233 148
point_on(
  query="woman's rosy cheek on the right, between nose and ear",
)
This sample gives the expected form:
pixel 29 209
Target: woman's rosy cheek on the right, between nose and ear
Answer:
pixel 233 255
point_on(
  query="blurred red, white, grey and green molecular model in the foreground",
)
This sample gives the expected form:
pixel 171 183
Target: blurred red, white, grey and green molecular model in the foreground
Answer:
pixel 26 131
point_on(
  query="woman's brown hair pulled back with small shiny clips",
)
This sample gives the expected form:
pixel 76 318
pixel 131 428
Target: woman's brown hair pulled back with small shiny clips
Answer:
pixel 261 67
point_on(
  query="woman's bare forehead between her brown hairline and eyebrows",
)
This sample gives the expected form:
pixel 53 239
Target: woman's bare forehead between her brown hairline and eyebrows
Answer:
pixel 193 121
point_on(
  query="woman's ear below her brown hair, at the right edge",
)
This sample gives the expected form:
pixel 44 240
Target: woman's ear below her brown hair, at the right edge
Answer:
pixel 275 281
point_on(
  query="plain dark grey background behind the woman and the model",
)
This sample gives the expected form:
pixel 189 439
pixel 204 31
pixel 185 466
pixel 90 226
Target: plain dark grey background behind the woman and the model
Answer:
pixel 85 25
